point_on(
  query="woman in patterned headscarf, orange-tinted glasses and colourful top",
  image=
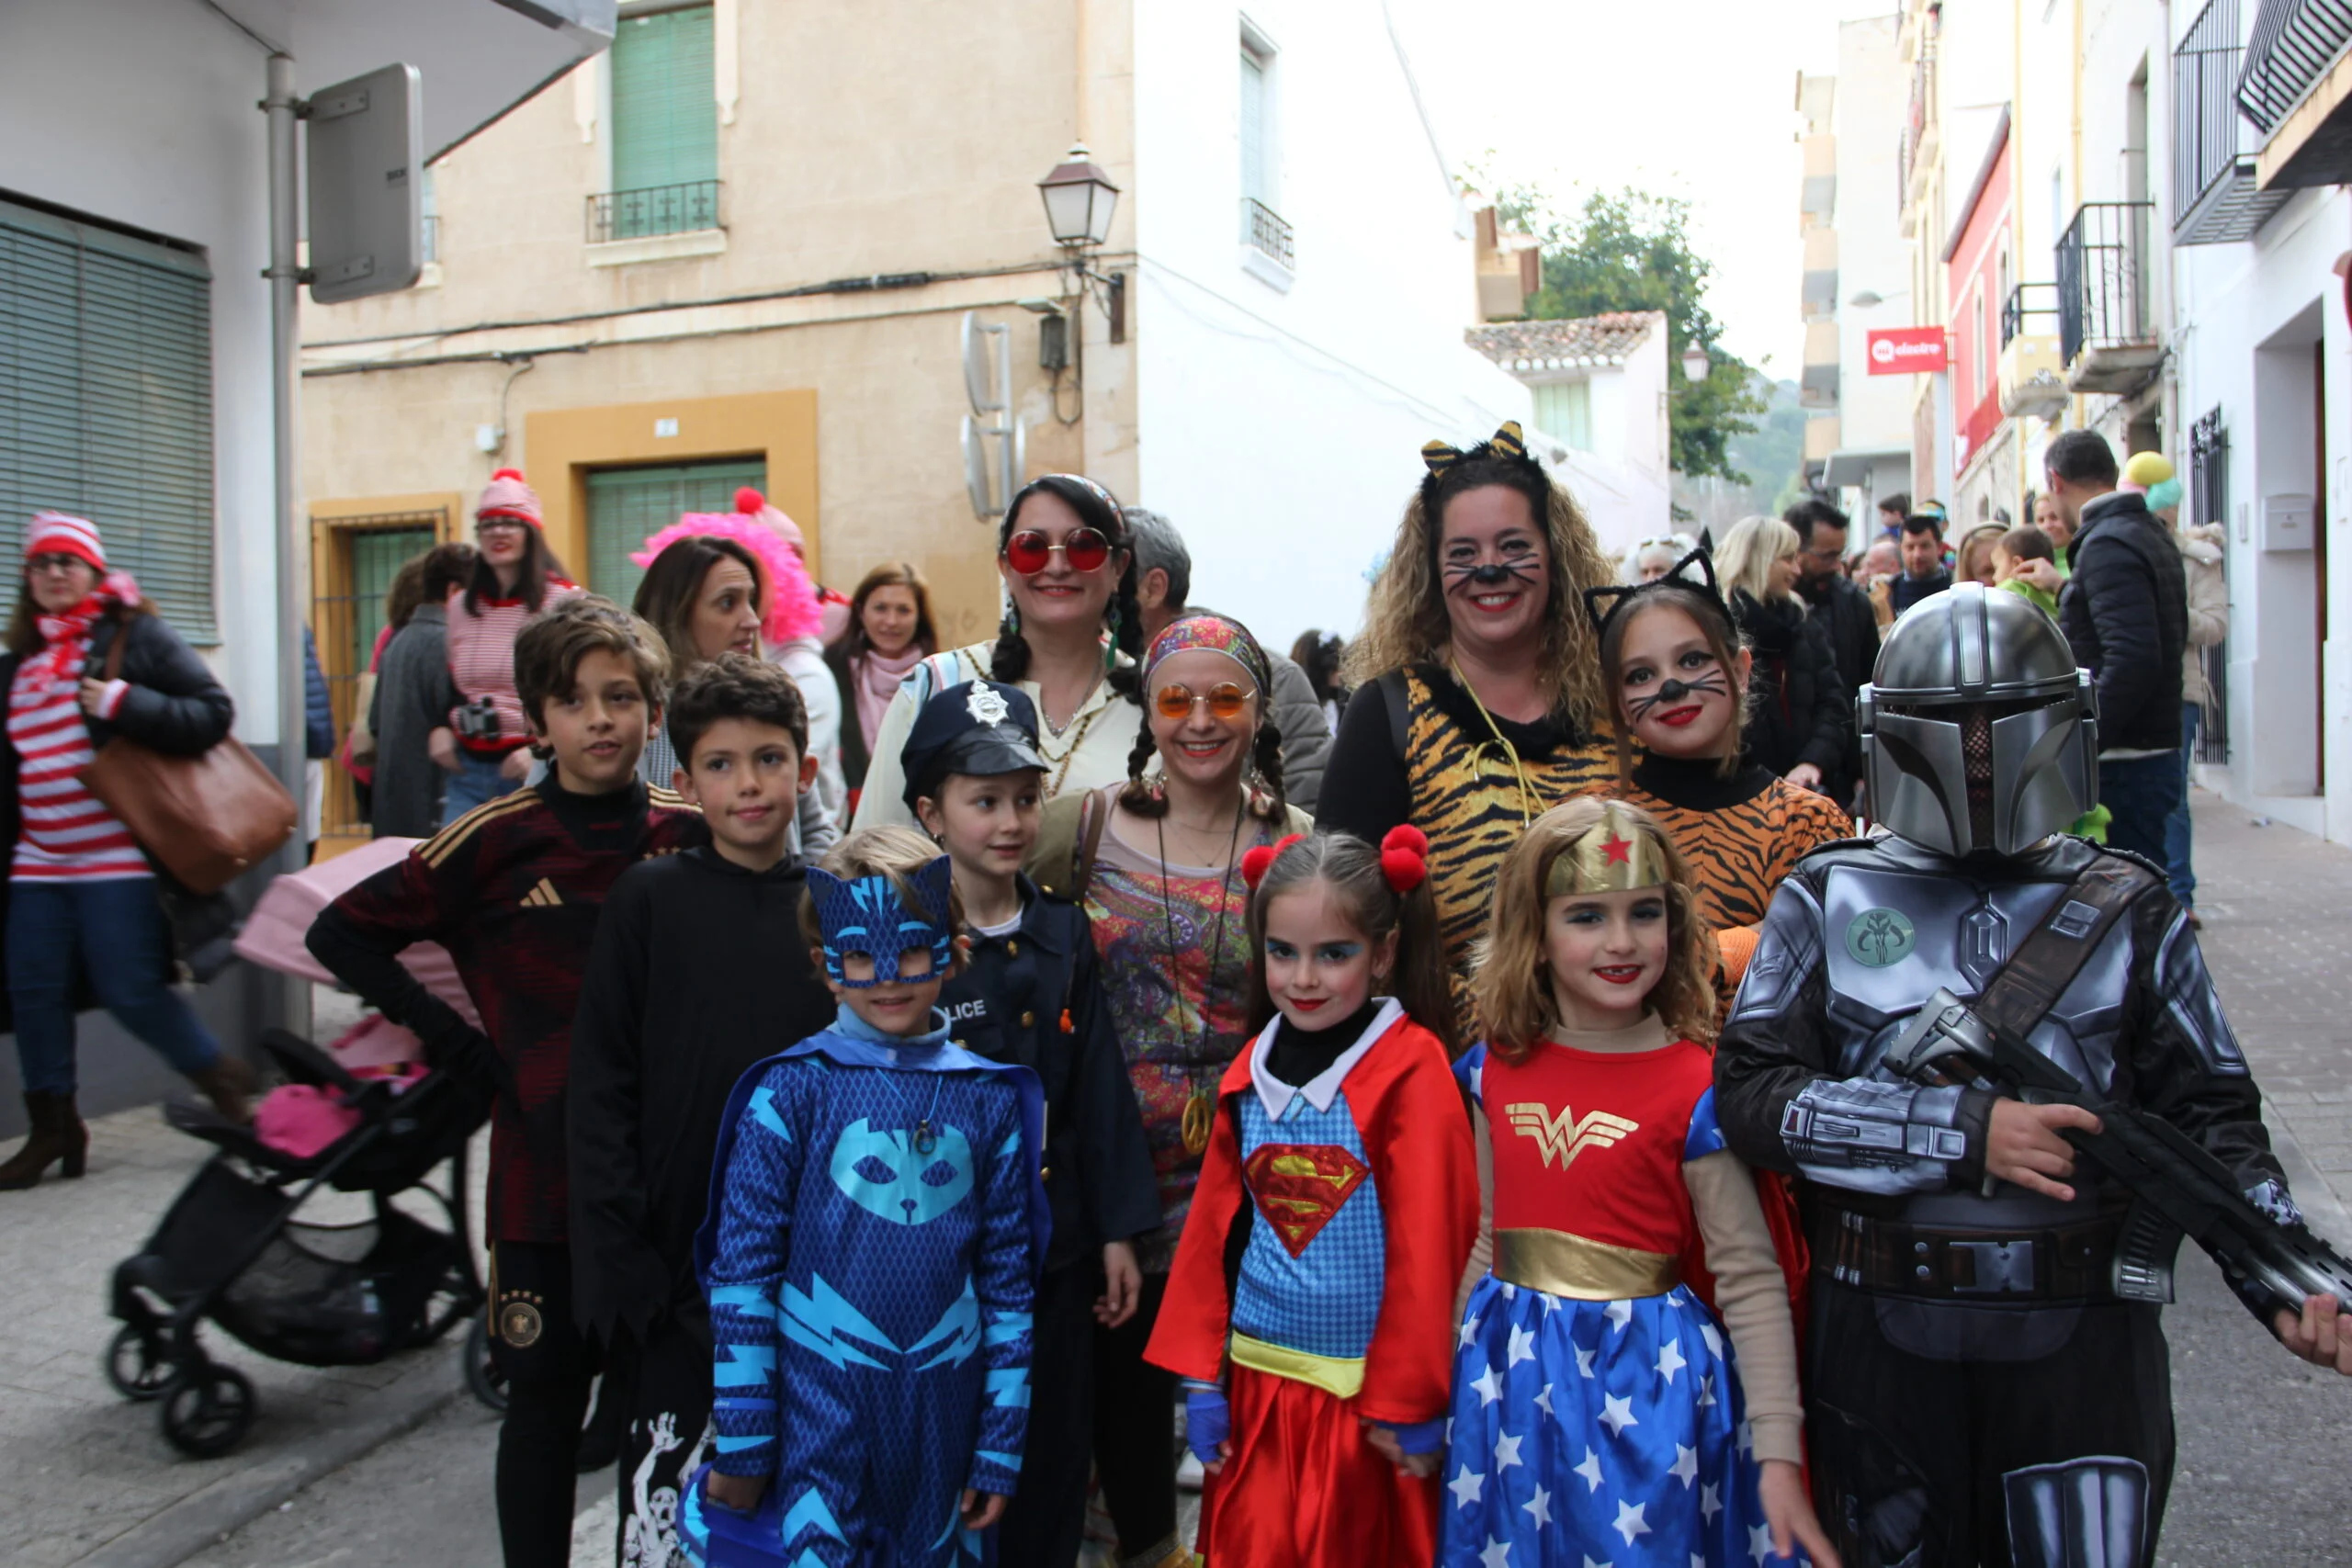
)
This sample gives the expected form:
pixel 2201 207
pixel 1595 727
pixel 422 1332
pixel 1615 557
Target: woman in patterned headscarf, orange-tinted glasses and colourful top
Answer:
pixel 1156 862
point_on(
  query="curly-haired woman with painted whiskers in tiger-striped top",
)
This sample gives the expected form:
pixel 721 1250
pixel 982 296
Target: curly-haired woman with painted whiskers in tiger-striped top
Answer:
pixel 1481 695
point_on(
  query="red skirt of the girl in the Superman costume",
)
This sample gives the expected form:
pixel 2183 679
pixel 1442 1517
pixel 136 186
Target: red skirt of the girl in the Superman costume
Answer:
pixel 1304 1489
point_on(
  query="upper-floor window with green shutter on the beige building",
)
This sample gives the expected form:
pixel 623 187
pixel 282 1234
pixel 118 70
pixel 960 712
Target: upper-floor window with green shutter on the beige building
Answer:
pixel 664 126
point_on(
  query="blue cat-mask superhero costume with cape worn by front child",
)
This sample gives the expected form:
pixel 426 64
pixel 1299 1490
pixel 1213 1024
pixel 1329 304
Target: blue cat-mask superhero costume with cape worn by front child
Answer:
pixel 874 1242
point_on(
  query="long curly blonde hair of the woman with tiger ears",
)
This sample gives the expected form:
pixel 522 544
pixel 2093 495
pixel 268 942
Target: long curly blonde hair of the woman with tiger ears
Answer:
pixel 1405 617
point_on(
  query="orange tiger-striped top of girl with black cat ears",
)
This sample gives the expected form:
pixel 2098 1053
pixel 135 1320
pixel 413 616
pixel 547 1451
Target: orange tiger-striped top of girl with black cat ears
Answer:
pixel 1742 836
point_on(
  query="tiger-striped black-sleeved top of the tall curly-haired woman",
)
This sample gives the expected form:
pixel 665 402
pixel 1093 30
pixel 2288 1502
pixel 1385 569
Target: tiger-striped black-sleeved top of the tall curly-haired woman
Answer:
pixel 1452 779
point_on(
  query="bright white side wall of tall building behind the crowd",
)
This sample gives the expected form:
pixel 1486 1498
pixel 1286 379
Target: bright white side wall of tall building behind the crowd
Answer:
pixel 1281 427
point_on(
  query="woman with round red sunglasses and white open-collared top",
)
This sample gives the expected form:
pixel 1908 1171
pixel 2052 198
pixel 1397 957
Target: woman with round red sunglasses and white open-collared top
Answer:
pixel 1069 641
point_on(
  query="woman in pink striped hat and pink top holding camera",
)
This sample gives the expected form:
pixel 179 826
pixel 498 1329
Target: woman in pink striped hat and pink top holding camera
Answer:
pixel 516 575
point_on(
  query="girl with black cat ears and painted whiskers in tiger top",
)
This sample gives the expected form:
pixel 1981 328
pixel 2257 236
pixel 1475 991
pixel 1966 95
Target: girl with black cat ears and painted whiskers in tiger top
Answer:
pixel 1681 681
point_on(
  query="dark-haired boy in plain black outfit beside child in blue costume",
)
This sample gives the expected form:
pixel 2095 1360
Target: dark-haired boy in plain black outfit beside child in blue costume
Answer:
pixel 700 972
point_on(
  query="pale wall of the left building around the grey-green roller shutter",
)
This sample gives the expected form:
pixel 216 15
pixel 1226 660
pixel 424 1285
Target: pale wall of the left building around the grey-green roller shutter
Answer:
pixel 145 116
